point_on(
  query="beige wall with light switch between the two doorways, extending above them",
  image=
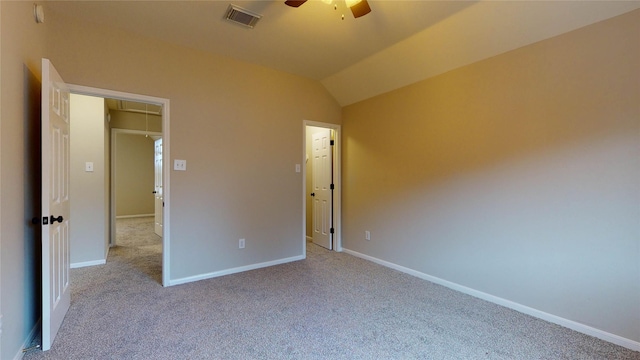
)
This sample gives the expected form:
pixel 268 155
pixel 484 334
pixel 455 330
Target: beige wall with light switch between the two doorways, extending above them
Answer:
pixel 238 126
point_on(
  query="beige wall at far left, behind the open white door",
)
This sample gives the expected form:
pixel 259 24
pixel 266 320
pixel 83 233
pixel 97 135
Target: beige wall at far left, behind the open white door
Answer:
pixel 21 55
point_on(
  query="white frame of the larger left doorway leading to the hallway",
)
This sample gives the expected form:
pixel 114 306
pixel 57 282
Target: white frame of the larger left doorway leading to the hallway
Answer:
pixel 118 95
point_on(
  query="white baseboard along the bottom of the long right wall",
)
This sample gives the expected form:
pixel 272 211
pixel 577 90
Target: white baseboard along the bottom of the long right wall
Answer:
pixel 573 325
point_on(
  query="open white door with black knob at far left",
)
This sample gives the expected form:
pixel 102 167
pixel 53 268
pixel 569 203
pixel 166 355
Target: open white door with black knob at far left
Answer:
pixel 56 293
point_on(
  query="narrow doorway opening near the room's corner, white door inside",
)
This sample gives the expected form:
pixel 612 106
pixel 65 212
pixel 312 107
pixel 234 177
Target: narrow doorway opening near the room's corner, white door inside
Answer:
pixel 321 185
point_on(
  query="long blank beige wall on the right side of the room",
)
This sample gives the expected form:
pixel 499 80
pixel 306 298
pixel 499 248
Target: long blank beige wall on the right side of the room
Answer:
pixel 516 176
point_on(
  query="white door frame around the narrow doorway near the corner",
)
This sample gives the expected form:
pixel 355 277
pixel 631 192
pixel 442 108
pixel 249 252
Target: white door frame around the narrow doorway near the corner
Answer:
pixel 337 192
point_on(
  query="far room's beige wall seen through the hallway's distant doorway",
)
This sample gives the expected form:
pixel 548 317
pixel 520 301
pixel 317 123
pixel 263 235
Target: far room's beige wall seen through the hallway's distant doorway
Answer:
pixel 135 174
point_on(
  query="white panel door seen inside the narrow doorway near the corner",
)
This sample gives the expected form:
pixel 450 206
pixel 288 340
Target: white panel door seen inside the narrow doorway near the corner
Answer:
pixel 321 195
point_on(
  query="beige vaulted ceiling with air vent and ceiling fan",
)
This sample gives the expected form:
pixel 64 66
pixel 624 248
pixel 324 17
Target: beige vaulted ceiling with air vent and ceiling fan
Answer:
pixel 398 43
